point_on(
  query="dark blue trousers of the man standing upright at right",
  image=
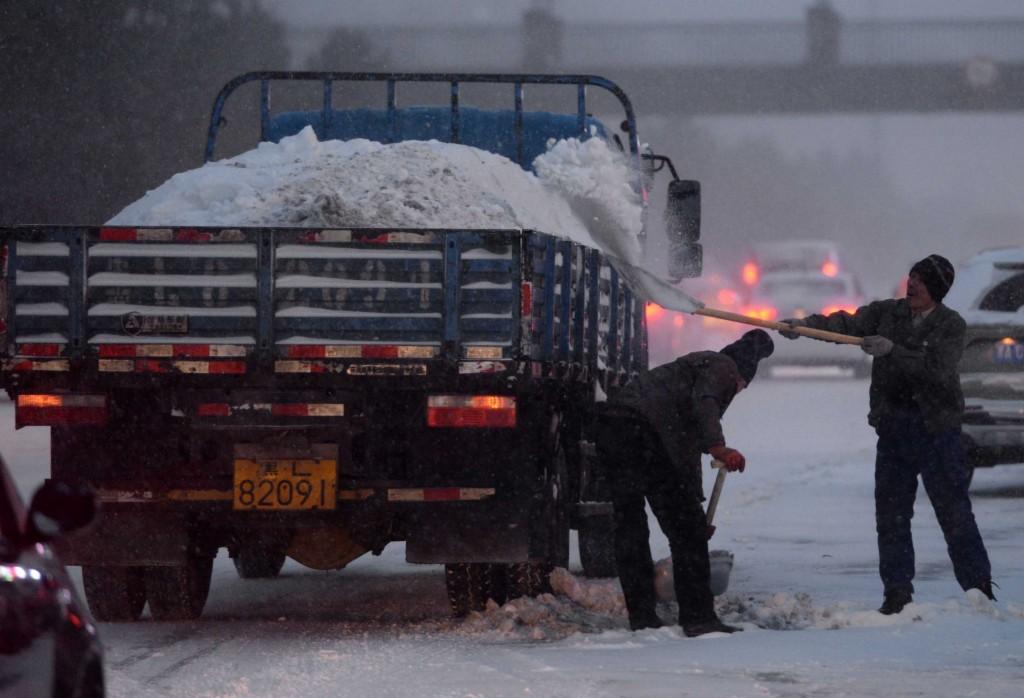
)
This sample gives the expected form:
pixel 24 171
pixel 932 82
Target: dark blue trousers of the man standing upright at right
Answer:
pixel 907 450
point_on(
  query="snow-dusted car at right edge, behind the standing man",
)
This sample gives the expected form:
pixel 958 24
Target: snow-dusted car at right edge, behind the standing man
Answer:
pixel 990 294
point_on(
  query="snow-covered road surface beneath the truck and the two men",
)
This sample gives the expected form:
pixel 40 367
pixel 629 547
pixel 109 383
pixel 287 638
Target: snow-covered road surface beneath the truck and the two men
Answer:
pixel 800 521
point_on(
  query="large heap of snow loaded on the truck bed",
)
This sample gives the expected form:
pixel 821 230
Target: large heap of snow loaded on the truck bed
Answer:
pixel 582 192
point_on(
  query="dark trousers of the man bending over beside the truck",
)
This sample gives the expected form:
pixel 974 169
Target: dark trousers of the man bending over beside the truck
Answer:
pixel 638 469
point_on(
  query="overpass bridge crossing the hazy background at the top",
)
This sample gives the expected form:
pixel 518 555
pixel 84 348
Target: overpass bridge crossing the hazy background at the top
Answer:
pixel 823 65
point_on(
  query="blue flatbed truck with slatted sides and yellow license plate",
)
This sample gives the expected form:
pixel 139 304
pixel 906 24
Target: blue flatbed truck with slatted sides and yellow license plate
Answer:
pixel 321 394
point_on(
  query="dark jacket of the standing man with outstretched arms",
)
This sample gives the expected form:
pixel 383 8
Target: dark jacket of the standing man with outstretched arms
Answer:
pixel 921 373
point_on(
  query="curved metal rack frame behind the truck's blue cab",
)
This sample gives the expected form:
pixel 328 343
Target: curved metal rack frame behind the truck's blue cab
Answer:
pixel 393 80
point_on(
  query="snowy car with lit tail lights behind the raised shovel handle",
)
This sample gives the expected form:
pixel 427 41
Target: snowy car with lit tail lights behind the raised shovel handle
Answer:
pixel 782 295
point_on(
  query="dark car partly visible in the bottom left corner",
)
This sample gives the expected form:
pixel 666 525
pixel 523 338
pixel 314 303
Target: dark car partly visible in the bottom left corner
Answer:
pixel 49 643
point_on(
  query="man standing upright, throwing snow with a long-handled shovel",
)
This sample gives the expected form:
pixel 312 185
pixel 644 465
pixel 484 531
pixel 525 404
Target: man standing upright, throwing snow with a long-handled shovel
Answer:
pixel 916 408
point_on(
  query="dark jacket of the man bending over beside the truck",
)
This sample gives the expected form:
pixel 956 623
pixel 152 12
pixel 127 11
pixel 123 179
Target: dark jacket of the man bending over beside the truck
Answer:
pixel 685 402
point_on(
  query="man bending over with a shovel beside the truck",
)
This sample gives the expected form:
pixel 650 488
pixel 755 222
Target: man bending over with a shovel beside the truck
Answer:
pixel 652 434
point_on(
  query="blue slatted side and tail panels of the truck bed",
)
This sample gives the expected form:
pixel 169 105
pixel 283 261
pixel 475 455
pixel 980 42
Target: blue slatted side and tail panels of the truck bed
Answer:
pixel 260 297
